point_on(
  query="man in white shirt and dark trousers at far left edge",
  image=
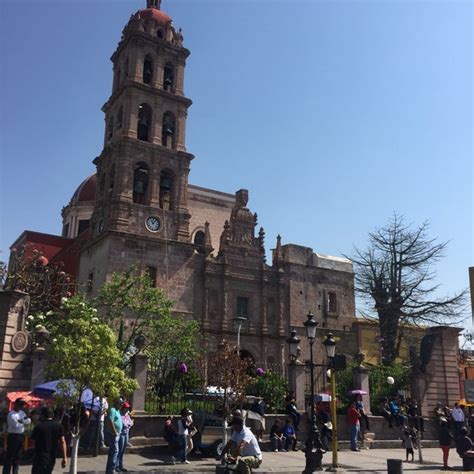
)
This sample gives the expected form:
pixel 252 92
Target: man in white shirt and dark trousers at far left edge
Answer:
pixel 16 421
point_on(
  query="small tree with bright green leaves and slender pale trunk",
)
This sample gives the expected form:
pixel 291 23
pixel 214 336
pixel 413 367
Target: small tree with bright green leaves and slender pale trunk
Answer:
pixel 84 350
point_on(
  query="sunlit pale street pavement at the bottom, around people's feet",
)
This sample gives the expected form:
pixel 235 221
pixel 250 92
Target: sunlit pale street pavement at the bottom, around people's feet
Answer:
pixel 368 461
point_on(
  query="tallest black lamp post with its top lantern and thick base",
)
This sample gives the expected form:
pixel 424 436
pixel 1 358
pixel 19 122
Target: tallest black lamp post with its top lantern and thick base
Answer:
pixel 313 459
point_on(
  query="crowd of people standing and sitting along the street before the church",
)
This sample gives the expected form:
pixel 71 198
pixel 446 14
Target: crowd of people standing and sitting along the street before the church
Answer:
pixel 104 425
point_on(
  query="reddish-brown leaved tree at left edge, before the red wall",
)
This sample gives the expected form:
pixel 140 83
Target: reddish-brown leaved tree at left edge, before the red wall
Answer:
pixel 31 272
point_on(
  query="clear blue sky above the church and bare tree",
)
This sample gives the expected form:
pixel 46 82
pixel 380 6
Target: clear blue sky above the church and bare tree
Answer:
pixel 334 114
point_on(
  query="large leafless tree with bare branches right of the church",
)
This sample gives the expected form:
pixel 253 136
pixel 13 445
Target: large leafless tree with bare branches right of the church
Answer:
pixel 395 276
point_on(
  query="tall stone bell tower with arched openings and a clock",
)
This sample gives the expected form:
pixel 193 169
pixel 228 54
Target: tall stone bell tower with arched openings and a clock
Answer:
pixel 143 168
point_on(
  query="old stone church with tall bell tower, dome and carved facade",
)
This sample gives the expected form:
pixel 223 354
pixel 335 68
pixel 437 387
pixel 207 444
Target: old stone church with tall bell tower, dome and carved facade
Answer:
pixel 203 247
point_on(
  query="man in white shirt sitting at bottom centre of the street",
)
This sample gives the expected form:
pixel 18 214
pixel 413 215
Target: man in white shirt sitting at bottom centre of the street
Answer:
pixel 243 447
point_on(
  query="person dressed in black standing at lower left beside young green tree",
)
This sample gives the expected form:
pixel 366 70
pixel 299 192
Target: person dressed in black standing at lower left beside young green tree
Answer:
pixel 48 436
